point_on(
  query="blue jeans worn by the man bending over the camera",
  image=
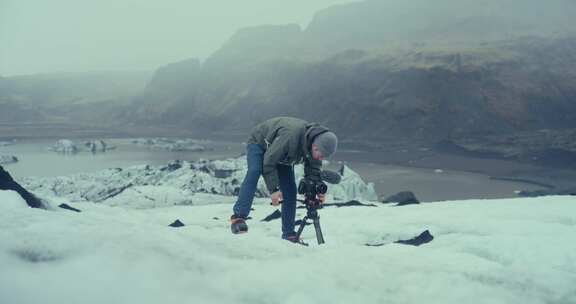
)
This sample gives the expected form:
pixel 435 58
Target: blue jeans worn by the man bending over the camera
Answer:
pixel 255 159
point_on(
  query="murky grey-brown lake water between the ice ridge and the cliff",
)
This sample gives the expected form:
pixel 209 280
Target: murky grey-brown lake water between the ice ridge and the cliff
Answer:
pixel 427 184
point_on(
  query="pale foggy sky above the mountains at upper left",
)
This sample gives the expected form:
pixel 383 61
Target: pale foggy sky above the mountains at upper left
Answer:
pixel 39 36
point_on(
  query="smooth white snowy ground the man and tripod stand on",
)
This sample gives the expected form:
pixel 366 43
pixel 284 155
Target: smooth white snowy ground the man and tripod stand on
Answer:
pixel 484 251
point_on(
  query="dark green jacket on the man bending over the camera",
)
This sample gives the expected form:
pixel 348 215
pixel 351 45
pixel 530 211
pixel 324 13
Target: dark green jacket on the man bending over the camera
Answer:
pixel 287 141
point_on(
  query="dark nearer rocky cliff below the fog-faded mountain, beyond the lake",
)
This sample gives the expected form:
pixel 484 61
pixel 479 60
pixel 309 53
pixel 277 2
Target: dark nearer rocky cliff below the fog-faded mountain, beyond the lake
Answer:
pixel 421 92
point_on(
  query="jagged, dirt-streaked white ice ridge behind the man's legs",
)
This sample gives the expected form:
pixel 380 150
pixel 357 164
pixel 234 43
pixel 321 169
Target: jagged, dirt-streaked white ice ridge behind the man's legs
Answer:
pixel 179 178
